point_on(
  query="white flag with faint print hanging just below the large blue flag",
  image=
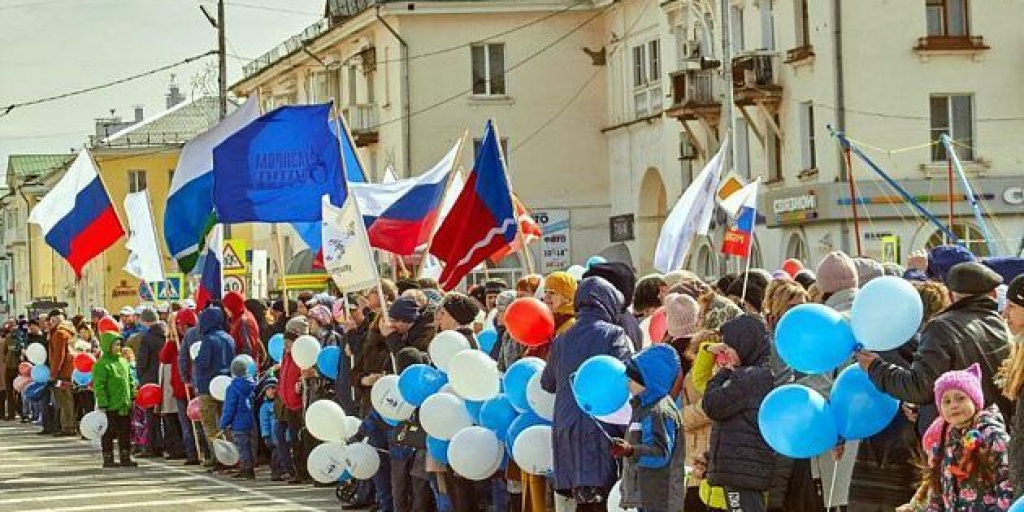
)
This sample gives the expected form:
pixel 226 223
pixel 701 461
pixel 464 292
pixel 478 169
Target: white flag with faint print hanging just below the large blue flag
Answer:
pixel 348 257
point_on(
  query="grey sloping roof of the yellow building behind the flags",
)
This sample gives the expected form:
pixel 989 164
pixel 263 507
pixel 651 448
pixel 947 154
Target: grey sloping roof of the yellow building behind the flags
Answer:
pixel 174 126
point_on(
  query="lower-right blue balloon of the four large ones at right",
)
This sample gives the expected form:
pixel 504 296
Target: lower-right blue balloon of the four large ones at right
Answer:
pixel 860 408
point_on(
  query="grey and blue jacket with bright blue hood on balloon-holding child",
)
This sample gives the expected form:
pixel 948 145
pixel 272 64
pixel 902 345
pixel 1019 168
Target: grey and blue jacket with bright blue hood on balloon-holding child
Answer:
pixel 654 478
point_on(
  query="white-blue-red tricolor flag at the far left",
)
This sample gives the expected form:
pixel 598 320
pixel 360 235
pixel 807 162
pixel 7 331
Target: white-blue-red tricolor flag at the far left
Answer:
pixel 77 218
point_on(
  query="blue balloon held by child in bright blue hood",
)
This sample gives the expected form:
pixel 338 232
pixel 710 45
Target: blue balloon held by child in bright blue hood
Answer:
pixel 601 387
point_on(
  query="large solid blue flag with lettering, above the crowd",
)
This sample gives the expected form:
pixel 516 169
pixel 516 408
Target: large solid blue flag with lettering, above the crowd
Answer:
pixel 278 168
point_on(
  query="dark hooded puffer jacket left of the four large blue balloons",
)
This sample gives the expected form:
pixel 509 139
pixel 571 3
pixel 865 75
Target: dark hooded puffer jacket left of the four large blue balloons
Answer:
pixel 740 456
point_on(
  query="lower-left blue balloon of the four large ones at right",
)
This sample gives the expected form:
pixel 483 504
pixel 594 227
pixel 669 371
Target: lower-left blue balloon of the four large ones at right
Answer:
pixel 797 422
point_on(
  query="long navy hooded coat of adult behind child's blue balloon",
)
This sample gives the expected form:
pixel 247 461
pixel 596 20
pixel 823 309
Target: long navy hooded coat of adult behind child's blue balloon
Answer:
pixel 582 451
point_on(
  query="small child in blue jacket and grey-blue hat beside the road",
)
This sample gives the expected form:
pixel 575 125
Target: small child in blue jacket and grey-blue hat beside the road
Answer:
pixel 238 415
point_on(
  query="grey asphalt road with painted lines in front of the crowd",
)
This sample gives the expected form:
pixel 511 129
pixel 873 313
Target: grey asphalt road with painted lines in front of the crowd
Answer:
pixel 44 474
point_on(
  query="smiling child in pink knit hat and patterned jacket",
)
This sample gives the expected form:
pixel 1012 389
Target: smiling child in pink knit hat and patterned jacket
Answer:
pixel 969 465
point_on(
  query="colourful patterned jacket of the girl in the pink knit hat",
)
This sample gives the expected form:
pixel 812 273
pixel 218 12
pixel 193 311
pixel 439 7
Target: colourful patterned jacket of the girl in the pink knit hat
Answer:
pixel 966 492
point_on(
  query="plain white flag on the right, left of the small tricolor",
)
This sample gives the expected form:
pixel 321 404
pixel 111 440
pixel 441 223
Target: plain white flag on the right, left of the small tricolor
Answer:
pixel 691 217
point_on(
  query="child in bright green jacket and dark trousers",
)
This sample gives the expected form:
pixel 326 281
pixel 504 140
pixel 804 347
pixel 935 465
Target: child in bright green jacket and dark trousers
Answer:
pixel 113 387
